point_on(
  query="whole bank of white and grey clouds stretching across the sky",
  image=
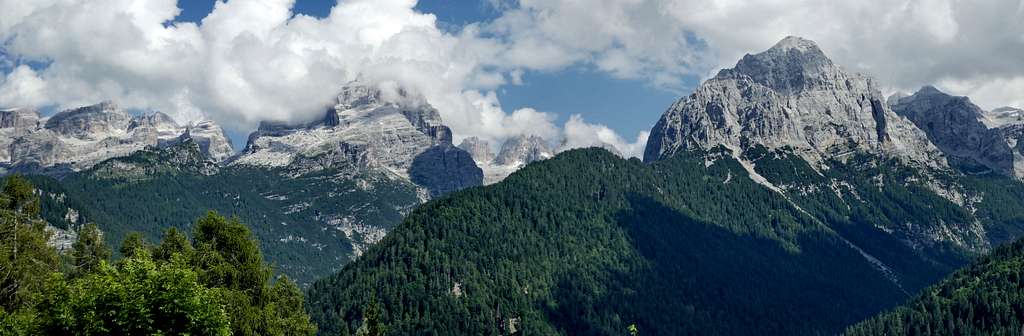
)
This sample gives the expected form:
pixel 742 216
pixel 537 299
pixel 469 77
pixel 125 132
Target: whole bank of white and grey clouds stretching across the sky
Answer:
pixel 254 60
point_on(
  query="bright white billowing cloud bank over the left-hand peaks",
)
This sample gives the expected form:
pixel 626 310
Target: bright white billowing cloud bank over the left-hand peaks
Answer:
pixel 247 61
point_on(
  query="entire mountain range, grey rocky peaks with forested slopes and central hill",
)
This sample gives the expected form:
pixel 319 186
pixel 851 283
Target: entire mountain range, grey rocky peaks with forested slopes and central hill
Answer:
pixel 786 195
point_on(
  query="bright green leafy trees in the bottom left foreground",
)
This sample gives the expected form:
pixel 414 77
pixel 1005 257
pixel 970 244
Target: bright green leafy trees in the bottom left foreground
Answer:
pixel 216 283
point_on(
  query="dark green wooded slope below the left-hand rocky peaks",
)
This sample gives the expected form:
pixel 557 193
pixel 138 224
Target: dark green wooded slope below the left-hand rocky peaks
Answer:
pixel 295 219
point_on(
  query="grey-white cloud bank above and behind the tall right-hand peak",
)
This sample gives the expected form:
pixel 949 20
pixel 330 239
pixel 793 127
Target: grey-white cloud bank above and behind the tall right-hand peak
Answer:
pixel 905 44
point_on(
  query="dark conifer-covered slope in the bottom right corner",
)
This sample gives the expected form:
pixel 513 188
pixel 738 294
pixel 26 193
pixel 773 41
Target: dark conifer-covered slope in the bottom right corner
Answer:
pixel 987 299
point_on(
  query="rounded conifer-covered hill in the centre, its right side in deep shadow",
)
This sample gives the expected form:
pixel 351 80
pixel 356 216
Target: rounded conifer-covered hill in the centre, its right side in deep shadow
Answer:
pixel 587 243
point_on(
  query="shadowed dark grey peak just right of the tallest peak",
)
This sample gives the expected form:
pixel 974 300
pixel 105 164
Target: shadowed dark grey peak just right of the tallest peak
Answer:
pixel 954 124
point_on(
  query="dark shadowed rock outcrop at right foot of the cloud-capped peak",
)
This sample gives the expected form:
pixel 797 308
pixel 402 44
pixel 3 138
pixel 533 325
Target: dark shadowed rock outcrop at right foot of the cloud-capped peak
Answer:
pixel 443 170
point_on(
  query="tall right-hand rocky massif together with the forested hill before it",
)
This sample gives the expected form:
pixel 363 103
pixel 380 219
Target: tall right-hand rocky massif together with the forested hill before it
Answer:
pixel 786 196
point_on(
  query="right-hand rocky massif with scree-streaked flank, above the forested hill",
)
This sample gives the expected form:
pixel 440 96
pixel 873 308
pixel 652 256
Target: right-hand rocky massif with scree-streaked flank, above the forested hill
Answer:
pixel 804 128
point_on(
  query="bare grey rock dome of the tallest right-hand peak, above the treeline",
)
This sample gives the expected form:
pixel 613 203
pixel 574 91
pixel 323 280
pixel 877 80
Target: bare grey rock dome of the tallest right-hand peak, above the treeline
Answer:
pixel 793 97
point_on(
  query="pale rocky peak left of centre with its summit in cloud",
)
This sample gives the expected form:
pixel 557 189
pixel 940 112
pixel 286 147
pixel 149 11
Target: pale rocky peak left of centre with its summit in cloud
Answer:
pixel 389 133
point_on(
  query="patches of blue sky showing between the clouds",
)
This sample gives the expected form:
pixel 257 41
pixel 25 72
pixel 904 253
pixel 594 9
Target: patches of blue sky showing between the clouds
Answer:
pixel 629 107
